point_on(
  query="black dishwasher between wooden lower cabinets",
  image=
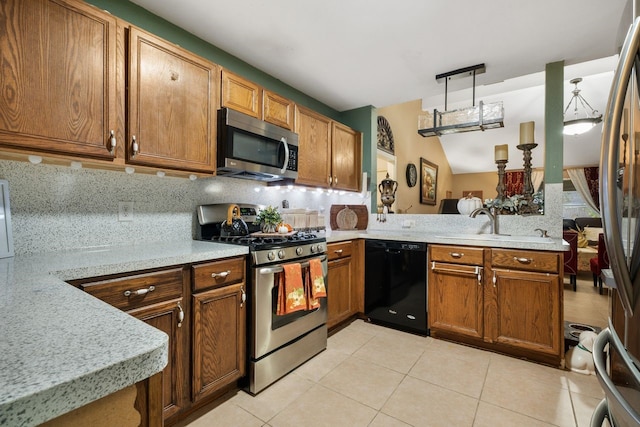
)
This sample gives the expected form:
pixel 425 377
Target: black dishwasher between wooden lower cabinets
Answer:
pixel 395 284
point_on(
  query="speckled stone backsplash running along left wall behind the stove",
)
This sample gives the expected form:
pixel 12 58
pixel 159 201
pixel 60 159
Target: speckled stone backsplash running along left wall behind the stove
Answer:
pixel 58 208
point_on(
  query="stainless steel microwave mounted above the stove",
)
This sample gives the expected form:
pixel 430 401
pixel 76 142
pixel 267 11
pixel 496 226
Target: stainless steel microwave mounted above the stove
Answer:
pixel 253 149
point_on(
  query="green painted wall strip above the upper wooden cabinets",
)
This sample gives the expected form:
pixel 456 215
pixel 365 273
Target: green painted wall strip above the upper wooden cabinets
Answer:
pixel 144 19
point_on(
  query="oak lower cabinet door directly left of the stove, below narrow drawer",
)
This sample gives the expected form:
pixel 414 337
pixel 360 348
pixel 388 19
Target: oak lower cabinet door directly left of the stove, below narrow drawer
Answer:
pixel 219 341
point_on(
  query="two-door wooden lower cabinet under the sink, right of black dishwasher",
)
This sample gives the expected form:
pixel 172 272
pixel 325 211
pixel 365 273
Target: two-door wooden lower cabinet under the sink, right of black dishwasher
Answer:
pixel 509 301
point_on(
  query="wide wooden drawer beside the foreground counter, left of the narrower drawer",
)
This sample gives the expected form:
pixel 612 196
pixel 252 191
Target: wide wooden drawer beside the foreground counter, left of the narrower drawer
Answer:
pixel 131 292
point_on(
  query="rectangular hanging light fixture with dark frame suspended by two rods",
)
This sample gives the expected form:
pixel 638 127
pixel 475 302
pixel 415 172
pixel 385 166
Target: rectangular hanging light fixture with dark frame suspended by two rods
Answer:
pixel 481 117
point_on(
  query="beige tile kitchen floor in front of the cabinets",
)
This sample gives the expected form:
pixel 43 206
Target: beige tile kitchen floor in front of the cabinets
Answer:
pixel 375 376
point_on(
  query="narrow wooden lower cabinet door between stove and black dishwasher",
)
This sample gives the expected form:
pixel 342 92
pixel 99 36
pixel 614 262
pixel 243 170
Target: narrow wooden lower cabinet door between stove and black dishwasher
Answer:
pixel 339 284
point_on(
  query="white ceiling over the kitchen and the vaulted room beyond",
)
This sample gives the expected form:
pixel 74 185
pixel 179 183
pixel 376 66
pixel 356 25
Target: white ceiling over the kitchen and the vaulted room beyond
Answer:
pixel 352 53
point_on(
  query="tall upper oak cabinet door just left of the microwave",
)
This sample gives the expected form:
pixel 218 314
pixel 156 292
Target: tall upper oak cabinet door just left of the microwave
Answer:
pixel 172 105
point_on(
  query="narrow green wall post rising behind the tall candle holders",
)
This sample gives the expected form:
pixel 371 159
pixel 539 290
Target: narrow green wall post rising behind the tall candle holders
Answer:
pixel 553 122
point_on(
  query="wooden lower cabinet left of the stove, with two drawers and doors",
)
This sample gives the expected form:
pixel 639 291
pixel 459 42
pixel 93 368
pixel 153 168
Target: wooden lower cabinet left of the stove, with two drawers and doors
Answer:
pixel 202 308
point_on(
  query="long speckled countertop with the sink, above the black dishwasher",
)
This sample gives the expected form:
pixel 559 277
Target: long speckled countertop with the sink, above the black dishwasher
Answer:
pixel 447 238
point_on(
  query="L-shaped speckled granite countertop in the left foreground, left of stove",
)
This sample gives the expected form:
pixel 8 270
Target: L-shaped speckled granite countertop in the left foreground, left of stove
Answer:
pixel 61 348
